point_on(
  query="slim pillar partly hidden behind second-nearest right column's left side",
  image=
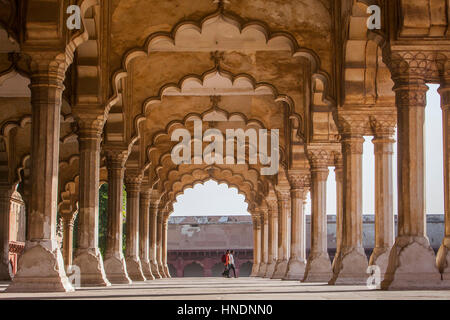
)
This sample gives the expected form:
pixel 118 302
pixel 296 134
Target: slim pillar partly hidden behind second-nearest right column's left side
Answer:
pixel 339 177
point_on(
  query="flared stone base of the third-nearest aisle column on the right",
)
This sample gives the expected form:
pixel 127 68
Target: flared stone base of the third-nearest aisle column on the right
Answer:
pixel 318 268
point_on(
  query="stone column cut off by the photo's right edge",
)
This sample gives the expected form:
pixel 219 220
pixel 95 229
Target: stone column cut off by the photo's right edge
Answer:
pixel 443 256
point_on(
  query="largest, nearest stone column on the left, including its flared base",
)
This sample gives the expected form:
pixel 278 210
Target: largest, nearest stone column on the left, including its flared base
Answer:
pixel 41 266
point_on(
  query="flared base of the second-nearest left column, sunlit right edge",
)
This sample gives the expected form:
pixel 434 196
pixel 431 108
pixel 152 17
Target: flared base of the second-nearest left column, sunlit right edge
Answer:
pixel 90 264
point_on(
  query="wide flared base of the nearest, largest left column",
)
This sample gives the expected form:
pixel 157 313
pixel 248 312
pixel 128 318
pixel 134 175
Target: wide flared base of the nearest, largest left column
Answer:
pixel 41 269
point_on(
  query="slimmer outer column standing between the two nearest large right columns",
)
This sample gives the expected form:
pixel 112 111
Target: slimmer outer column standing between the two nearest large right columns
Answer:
pixel 384 128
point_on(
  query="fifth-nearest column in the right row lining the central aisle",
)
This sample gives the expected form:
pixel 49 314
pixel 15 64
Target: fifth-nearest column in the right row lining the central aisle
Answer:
pixel 284 206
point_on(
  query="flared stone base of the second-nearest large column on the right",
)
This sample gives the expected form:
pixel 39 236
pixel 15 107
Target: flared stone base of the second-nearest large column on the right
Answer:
pixel 351 267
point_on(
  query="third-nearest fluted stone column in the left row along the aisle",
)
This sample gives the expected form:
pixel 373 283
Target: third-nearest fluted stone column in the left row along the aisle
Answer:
pixel 115 266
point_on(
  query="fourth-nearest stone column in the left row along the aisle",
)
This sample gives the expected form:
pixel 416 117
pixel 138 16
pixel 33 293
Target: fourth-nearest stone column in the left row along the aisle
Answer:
pixel 133 182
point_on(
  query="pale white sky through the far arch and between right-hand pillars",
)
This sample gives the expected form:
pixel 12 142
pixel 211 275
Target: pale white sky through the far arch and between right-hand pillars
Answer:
pixel 211 198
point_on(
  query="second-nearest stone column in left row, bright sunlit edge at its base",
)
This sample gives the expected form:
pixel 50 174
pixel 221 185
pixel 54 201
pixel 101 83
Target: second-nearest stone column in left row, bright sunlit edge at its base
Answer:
pixel 87 256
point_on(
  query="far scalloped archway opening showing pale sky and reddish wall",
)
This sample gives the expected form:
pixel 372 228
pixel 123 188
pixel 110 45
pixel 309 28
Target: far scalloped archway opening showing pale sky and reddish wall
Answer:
pixel 207 220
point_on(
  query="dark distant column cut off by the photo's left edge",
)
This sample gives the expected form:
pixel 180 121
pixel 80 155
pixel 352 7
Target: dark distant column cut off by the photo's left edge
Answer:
pixel 5 200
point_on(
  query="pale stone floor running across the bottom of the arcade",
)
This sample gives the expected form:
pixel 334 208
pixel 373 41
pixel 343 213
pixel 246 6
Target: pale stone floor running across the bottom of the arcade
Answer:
pixel 224 289
